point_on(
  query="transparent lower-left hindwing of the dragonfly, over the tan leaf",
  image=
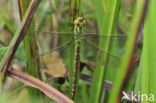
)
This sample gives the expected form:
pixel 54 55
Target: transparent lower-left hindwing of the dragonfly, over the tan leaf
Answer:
pixel 55 60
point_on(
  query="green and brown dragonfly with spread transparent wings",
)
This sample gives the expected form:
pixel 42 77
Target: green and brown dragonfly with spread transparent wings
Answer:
pixel 85 46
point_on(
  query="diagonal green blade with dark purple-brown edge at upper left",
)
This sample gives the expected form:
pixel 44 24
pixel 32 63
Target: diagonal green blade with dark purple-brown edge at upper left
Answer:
pixel 20 33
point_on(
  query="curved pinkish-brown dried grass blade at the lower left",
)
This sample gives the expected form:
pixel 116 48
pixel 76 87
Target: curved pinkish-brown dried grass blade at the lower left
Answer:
pixel 36 83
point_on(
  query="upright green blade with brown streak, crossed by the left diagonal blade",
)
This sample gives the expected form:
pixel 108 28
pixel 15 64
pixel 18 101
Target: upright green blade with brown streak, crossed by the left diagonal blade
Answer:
pixel 31 52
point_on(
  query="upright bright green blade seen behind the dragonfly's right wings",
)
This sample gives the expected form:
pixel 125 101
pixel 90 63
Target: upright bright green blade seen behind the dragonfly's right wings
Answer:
pixel 106 25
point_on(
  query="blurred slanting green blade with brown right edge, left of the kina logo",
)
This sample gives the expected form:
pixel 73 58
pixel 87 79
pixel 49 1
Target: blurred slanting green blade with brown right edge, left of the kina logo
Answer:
pixel 129 50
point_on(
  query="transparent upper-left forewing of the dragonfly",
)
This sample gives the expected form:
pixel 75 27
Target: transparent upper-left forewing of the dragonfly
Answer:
pixel 51 40
